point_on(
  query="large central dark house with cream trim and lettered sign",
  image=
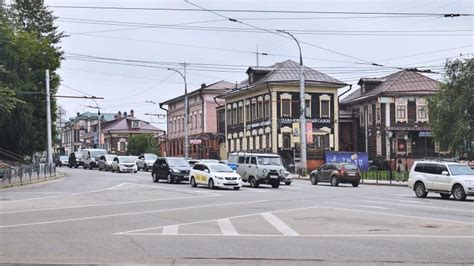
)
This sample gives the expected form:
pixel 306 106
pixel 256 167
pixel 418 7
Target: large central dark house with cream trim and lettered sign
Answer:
pixel 263 113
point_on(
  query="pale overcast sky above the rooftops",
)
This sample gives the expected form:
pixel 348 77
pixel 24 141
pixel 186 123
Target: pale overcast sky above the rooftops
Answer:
pixel 215 53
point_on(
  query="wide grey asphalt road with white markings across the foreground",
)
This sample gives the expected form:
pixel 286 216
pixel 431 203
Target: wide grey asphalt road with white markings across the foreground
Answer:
pixel 102 217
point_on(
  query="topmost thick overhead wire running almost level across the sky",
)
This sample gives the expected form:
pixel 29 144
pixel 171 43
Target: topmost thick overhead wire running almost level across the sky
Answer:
pixel 451 15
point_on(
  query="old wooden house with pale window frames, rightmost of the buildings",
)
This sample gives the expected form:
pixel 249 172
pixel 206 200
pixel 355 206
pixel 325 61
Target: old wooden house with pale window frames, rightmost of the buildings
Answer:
pixel 388 118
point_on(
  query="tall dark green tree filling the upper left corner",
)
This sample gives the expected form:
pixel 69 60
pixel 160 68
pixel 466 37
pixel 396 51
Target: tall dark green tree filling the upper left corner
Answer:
pixel 29 45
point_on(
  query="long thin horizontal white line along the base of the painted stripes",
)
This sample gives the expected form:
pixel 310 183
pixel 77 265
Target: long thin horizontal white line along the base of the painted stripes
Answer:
pixel 322 236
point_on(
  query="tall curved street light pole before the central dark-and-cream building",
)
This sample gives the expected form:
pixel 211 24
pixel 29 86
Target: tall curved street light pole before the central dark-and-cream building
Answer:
pixel 302 110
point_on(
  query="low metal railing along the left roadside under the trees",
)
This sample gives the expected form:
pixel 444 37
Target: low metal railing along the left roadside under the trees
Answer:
pixel 25 173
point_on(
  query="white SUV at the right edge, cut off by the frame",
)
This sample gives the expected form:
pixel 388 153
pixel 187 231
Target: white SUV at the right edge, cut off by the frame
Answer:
pixel 445 178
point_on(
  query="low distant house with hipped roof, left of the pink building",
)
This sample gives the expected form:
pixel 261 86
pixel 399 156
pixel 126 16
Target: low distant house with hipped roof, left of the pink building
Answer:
pixel 115 133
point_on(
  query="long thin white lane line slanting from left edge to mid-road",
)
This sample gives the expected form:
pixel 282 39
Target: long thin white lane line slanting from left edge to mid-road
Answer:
pixel 129 213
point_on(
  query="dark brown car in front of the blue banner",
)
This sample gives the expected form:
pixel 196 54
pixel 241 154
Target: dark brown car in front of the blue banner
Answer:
pixel 336 173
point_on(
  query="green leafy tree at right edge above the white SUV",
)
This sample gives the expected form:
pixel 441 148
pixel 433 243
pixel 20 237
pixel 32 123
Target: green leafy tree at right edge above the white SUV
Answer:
pixel 452 109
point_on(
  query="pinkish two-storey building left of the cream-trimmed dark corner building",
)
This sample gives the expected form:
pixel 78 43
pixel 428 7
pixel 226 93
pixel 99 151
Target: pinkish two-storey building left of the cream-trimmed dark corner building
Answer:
pixel 202 124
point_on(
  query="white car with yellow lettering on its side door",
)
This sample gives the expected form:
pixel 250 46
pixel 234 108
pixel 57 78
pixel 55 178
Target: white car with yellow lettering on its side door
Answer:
pixel 214 175
